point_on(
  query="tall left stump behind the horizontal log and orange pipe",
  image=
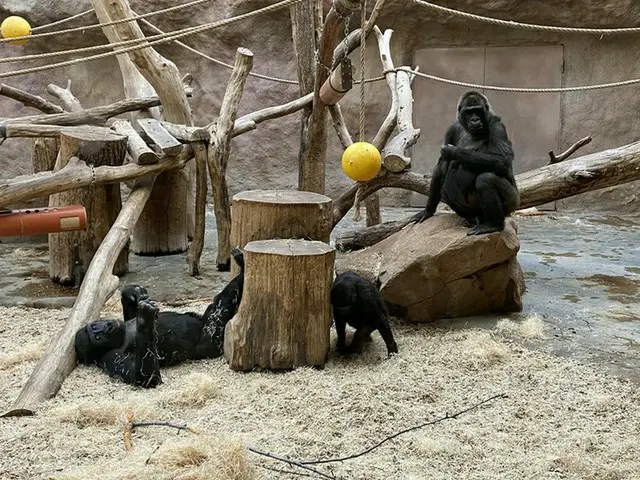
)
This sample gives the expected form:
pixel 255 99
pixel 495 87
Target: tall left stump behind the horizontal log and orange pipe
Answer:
pixel 96 146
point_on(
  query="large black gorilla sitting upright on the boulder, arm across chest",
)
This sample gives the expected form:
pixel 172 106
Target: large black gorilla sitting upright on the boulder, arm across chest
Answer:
pixel 474 174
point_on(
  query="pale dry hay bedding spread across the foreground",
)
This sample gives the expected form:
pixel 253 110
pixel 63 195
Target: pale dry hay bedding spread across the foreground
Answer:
pixel 560 420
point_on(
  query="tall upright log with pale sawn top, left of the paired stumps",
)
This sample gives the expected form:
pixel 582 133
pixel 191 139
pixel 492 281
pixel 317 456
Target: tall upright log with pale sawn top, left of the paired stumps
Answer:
pixel 218 155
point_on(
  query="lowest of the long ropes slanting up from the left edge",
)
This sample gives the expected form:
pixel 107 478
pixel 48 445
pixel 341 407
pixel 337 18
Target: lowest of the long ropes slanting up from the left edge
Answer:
pixel 164 39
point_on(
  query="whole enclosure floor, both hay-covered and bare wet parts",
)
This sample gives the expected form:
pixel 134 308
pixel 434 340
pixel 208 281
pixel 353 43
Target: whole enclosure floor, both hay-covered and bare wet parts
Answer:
pixel 567 364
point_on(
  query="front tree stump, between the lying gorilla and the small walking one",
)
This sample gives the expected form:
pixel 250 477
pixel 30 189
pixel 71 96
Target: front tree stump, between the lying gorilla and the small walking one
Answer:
pixel 284 319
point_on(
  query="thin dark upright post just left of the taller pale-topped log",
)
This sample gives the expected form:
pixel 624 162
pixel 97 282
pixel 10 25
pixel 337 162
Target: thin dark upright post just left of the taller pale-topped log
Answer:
pixel 197 244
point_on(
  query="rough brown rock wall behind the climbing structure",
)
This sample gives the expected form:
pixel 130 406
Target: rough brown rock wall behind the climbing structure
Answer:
pixel 267 157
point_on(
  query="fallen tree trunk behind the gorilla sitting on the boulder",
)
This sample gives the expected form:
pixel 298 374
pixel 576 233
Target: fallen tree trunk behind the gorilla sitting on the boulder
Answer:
pixel 546 184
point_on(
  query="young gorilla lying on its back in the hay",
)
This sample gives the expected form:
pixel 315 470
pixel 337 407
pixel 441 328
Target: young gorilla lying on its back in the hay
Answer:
pixel 134 351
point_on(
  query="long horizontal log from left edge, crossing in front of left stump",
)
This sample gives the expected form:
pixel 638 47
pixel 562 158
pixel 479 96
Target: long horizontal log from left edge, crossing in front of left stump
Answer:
pixel 76 174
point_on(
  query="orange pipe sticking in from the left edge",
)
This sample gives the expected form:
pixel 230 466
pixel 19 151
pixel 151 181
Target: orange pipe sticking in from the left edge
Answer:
pixel 36 221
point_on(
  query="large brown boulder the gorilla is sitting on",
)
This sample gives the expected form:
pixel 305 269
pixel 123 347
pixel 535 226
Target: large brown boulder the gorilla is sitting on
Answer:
pixel 435 270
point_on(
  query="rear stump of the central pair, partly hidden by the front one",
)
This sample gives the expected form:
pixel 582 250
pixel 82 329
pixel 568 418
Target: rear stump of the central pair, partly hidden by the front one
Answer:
pixel 267 214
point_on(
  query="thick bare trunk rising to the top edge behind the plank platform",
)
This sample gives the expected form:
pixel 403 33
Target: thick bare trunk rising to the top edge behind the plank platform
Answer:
pixel 168 218
